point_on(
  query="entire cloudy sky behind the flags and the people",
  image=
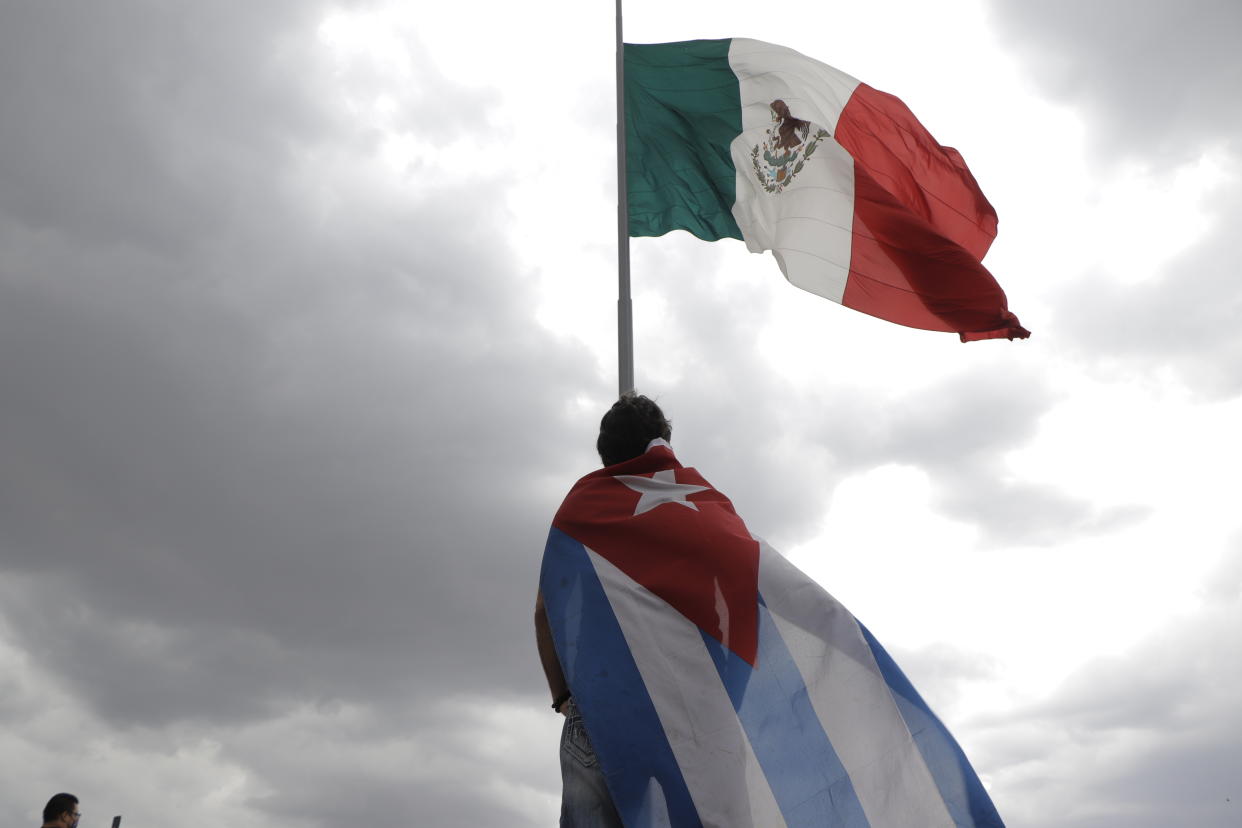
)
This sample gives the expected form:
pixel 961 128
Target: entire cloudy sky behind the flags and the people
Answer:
pixel 307 321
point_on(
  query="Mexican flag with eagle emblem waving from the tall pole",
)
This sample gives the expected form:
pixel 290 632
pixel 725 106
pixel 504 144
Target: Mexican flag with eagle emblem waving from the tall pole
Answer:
pixel 856 200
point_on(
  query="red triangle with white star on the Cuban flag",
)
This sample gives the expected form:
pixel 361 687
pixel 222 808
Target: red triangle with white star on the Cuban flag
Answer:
pixel 665 527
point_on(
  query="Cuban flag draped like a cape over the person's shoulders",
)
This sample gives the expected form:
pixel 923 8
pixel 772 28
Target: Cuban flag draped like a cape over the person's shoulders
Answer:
pixel 720 685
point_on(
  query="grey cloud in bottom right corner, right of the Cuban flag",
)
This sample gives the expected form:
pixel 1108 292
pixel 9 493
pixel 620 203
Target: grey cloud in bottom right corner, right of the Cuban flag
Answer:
pixel 1153 734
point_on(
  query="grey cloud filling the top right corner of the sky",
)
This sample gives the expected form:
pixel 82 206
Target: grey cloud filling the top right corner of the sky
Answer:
pixel 1156 80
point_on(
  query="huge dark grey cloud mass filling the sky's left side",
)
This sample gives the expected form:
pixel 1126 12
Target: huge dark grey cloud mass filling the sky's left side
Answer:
pixel 276 429
